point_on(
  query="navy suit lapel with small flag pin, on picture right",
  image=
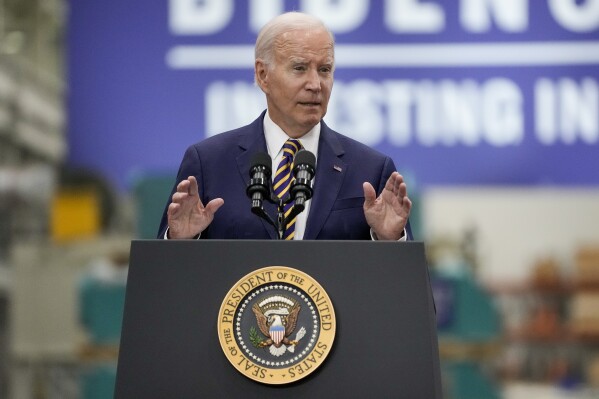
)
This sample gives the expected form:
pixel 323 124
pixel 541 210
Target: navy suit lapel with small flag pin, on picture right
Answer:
pixel 330 172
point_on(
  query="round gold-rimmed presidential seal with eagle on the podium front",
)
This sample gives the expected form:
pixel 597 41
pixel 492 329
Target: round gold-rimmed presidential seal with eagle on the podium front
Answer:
pixel 276 325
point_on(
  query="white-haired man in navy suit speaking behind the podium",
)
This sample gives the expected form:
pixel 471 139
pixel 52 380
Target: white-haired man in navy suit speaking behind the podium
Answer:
pixel 294 67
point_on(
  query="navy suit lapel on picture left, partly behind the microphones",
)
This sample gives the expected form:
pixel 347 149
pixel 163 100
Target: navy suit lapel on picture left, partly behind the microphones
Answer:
pixel 252 143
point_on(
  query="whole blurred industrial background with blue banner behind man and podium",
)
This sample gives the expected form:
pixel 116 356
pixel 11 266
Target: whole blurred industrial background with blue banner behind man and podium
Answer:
pixel 490 108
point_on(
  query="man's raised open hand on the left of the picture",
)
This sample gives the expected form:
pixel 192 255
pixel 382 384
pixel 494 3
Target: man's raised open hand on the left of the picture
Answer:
pixel 187 216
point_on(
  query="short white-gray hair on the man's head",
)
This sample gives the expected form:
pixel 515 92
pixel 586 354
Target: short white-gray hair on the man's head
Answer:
pixel 265 43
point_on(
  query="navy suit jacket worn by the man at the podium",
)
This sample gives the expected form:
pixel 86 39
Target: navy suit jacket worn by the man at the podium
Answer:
pixel 221 166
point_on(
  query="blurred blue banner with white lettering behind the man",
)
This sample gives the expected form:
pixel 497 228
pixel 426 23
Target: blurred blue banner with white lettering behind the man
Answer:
pixel 457 92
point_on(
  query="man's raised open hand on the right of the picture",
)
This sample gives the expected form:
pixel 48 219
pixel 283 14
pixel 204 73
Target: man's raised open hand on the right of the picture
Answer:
pixel 388 214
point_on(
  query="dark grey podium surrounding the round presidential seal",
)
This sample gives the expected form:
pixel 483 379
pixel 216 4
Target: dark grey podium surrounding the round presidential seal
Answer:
pixel 385 344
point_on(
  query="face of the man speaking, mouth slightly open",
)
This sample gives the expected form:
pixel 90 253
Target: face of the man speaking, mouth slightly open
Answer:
pixel 298 85
